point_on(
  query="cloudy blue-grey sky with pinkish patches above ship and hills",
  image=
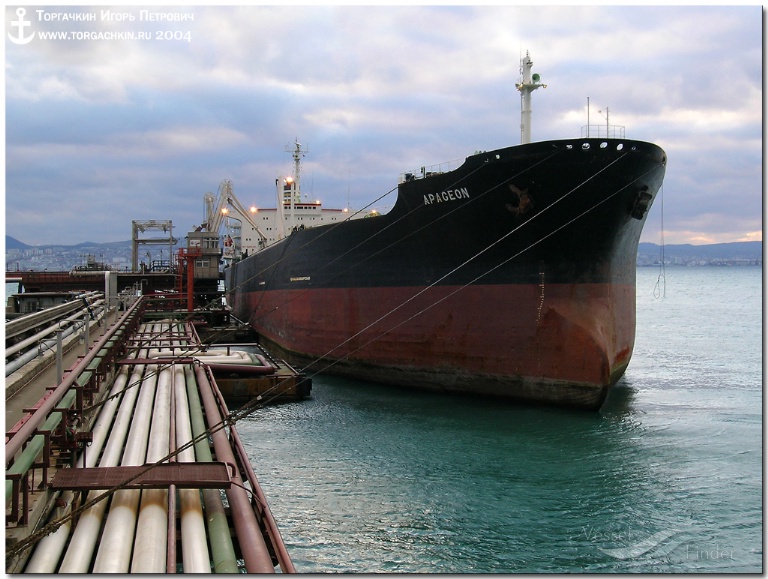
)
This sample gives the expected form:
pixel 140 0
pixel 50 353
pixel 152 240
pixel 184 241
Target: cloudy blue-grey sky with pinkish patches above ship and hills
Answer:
pixel 136 115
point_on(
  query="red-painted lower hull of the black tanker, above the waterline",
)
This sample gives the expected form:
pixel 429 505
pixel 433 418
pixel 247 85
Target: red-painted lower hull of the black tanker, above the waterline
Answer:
pixel 561 343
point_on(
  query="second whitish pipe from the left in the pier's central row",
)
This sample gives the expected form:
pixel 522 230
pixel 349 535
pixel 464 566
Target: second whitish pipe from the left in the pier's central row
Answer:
pixel 80 552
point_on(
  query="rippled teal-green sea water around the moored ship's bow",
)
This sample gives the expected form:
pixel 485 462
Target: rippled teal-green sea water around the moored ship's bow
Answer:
pixel 666 477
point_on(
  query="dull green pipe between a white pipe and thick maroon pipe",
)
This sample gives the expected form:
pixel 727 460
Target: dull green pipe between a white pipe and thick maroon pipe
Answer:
pixel 222 550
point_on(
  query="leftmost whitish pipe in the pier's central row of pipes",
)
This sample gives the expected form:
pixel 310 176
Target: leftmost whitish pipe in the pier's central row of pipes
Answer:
pixel 49 549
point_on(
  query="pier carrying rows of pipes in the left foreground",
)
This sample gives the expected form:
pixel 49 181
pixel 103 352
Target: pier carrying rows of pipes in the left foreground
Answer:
pixel 130 460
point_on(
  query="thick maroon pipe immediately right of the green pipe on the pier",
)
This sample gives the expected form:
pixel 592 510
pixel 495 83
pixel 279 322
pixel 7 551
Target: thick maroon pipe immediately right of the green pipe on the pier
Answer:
pixel 252 545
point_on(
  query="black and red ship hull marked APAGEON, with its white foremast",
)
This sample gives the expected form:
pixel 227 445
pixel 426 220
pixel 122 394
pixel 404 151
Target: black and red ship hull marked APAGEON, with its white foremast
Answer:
pixel 510 276
